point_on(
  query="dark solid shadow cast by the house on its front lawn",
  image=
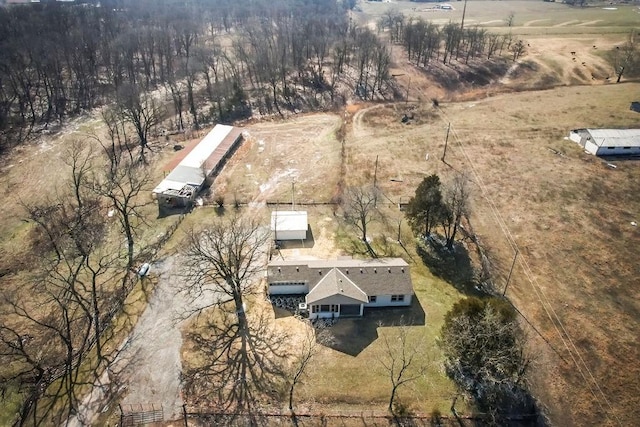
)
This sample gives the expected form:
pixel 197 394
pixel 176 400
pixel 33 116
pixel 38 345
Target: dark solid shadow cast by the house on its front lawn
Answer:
pixel 352 335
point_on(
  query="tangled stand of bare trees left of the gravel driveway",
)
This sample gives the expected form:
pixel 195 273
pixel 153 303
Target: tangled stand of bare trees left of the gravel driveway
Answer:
pixel 54 327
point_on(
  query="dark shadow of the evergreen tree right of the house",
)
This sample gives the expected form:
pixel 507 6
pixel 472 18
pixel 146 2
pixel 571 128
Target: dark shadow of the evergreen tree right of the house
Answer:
pixel 454 267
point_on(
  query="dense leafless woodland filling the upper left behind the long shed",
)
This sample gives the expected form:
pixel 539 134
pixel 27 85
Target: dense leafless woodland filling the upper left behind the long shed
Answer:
pixel 219 60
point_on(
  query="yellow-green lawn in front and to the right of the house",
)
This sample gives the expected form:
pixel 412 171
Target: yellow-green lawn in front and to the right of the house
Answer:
pixel 349 375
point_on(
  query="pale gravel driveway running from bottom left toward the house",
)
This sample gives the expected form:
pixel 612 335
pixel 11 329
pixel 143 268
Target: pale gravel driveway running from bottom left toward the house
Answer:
pixel 148 368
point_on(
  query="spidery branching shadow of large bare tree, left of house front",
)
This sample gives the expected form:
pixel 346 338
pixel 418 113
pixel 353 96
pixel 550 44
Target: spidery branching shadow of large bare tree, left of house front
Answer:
pixel 234 369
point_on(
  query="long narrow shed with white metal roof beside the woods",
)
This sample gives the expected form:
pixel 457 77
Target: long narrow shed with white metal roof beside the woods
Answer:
pixel 181 186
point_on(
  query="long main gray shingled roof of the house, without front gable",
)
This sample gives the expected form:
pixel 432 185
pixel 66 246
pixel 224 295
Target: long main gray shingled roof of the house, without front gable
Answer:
pixel 382 276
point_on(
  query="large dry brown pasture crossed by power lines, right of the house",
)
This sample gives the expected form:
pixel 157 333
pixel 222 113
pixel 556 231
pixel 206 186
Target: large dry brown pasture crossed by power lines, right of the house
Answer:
pixel 566 212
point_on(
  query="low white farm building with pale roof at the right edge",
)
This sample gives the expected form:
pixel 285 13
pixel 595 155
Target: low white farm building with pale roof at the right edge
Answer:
pixel 608 142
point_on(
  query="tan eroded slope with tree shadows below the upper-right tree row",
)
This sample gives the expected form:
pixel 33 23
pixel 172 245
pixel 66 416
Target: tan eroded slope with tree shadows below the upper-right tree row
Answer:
pixel 546 63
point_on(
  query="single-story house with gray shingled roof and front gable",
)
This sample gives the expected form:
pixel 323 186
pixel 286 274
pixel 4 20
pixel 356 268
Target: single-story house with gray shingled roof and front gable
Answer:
pixel 343 287
